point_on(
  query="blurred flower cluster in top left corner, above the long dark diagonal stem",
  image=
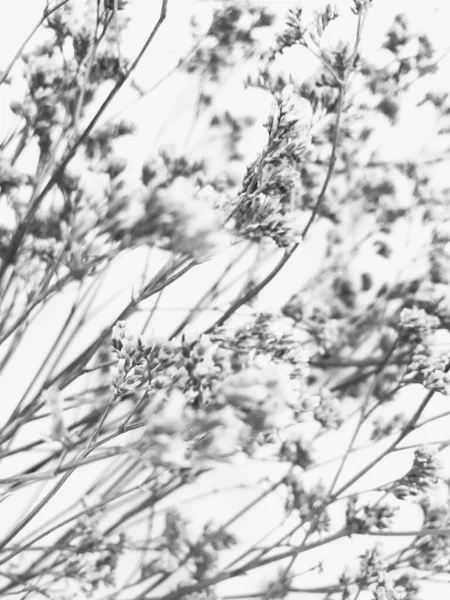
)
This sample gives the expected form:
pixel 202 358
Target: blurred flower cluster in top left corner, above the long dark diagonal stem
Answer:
pixel 57 69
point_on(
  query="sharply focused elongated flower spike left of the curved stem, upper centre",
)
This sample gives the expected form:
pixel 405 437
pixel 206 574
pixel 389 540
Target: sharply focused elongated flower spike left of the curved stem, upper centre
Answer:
pixel 265 202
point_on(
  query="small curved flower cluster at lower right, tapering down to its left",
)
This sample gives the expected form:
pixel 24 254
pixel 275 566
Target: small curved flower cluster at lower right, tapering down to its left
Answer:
pixel 422 475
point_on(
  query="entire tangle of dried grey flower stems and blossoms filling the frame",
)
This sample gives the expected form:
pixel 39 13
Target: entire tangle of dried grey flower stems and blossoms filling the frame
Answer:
pixel 319 381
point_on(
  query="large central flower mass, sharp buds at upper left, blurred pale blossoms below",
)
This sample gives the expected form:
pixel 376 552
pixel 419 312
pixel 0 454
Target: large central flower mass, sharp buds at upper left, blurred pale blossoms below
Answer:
pixel 209 399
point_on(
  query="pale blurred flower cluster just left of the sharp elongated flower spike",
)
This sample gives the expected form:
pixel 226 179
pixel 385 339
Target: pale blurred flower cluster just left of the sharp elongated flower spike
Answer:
pixel 175 208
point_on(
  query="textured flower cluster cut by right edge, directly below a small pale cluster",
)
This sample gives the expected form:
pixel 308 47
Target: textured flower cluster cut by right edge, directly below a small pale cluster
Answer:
pixel 430 370
